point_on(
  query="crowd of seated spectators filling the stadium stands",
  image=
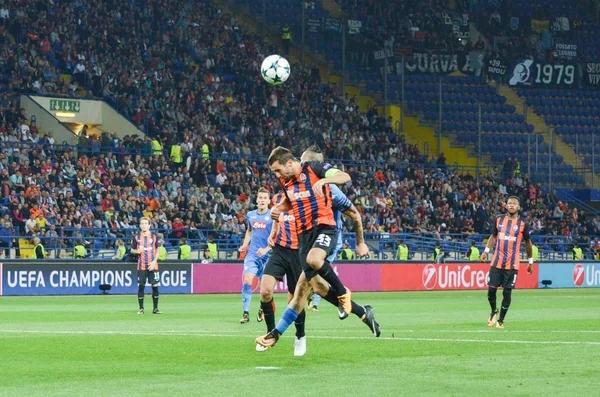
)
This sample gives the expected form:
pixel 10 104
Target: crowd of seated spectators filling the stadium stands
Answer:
pixel 192 83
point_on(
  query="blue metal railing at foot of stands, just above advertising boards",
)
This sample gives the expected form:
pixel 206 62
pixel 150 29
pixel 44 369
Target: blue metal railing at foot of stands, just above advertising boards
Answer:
pixel 100 244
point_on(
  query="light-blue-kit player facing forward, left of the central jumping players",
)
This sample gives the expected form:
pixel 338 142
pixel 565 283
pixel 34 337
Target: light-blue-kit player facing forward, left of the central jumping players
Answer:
pixel 257 249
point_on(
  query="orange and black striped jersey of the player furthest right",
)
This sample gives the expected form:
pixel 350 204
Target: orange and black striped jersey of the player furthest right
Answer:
pixel 509 233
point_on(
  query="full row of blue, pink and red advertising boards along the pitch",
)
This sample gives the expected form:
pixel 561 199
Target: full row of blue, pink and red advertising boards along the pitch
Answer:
pixel 84 278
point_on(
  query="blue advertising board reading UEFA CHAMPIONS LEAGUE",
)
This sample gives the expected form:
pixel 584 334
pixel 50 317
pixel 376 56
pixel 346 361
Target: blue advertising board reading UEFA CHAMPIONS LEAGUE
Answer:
pixel 85 278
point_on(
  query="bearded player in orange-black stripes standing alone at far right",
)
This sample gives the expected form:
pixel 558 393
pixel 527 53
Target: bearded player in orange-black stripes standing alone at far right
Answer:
pixel 508 232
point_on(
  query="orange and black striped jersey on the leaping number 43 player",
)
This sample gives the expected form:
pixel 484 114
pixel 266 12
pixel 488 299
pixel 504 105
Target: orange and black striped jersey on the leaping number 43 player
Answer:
pixel 308 209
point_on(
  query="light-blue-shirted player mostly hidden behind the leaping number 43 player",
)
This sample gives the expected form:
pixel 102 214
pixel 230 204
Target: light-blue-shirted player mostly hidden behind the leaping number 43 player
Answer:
pixel 342 205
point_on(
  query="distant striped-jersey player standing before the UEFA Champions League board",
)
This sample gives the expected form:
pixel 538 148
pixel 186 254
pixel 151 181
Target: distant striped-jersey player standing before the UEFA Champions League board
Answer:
pixel 145 245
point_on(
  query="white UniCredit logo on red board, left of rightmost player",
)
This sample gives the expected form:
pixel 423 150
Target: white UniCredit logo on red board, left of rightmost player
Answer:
pixel 453 277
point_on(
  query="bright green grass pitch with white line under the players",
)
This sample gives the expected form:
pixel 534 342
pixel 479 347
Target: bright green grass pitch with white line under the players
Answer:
pixel 433 343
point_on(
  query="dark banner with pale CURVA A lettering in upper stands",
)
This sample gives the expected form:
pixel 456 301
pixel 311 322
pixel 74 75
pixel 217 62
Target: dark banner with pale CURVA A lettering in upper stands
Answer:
pixel 440 63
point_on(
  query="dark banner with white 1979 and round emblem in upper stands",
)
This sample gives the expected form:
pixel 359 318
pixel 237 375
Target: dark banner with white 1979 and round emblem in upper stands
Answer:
pixel 534 74
